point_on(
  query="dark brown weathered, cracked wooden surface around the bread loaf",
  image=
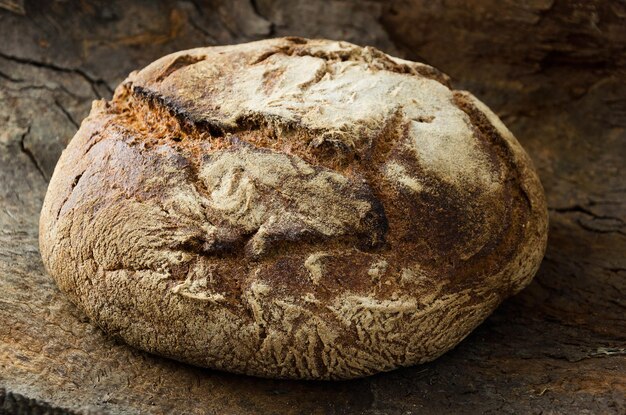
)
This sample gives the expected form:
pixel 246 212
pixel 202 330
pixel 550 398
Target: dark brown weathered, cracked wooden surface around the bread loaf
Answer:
pixel 552 69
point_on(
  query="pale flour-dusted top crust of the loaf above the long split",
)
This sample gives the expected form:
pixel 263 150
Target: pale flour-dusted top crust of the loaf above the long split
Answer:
pixel 336 91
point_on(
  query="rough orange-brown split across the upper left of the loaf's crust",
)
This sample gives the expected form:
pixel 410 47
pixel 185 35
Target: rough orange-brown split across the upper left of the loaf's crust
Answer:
pixel 155 120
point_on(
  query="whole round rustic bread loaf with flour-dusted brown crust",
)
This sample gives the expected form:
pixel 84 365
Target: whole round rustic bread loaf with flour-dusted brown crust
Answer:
pixel 292 208
